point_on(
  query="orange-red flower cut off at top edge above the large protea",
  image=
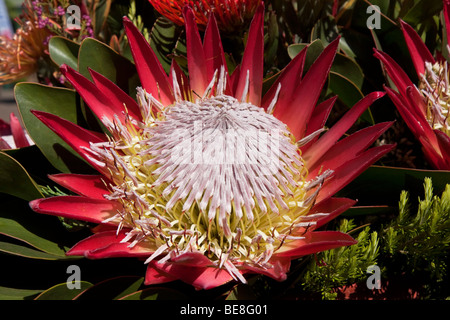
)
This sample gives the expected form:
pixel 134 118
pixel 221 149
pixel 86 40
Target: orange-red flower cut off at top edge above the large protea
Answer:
pixel 231 15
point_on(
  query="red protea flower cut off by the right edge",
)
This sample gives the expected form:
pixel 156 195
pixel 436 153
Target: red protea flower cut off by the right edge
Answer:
pixel 424 107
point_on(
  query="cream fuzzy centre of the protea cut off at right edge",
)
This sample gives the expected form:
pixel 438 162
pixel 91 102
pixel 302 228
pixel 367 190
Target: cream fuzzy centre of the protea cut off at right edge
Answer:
pixel 435 87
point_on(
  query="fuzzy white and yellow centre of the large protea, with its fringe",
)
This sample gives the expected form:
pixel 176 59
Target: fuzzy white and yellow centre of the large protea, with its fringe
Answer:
pixel 219 176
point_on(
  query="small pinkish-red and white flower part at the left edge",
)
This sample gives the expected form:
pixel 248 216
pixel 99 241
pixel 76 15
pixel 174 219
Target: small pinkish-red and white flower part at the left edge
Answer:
pixel 12 135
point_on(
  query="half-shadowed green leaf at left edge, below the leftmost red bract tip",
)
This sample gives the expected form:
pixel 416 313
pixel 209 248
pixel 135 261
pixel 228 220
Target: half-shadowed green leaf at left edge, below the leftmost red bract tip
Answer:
pixel 42 232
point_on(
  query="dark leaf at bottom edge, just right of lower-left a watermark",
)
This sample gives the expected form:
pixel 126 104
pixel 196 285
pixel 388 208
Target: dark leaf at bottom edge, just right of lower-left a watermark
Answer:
pixel 112 289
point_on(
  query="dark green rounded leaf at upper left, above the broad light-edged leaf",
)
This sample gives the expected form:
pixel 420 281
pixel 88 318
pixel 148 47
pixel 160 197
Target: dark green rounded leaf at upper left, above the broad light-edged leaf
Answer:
pixel 103 59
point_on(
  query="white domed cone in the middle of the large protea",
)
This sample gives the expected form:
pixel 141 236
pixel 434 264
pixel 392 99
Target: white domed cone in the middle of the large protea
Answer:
pixel 225 156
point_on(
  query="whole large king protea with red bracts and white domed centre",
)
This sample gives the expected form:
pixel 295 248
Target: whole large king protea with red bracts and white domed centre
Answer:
pixel 202 177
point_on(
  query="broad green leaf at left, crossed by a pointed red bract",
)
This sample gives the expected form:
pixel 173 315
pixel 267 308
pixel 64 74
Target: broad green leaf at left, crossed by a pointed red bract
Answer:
pixel 61 102
